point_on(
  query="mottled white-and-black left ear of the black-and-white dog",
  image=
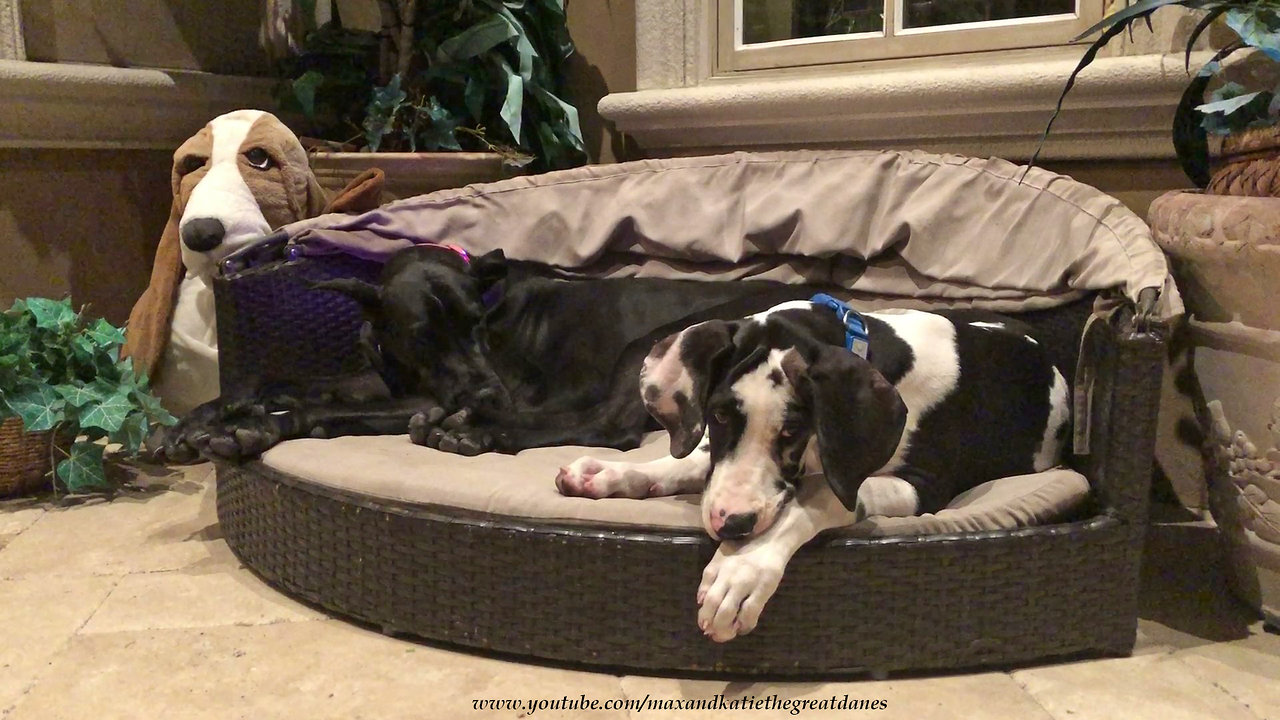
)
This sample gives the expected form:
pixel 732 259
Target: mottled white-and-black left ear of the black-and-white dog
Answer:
pixel 679 376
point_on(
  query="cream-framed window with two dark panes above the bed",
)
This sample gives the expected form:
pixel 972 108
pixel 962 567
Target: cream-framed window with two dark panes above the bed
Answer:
pixel 775 34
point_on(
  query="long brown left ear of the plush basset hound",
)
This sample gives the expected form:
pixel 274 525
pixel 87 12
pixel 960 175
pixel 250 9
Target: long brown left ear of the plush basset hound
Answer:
pixel 152 316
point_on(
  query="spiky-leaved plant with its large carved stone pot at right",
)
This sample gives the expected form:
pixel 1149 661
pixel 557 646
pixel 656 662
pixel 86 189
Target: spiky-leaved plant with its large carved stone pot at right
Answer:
pixel 1224 245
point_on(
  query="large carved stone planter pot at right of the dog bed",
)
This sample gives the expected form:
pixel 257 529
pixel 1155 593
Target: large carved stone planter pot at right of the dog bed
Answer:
pixel 1226 253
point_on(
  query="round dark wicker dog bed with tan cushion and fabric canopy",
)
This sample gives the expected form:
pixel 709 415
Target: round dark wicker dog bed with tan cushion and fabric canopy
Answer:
pixel 479 553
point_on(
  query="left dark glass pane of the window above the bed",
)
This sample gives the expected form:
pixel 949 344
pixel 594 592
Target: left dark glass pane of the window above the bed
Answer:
pixel 767 21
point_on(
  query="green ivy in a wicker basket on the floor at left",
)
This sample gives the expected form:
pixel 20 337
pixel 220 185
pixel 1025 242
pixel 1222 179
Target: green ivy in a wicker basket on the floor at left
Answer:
pixel 63 390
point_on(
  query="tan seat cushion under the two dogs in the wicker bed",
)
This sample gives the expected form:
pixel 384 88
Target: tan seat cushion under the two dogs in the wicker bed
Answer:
pixel 524 486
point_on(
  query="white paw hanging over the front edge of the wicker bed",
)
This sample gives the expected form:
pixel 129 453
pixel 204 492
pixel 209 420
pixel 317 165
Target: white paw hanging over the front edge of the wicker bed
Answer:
pixel 737 585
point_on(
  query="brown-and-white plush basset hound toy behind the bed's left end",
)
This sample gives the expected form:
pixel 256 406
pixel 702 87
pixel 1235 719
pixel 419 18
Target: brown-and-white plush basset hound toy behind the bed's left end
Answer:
pixel 235 181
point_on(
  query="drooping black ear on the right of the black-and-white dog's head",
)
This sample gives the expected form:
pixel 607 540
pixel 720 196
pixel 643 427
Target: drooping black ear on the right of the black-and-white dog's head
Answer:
pixel 858 416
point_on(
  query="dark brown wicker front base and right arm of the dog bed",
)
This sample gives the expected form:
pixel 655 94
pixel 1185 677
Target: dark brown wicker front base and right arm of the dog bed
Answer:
pixel 625 596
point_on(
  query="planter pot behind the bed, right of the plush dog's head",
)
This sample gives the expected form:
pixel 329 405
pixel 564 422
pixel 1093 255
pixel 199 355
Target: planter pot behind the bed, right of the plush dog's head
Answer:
pixel 410 174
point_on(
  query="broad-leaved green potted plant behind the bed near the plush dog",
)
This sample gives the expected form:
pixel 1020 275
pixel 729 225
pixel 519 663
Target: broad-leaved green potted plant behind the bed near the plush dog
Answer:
pixel 478 79
